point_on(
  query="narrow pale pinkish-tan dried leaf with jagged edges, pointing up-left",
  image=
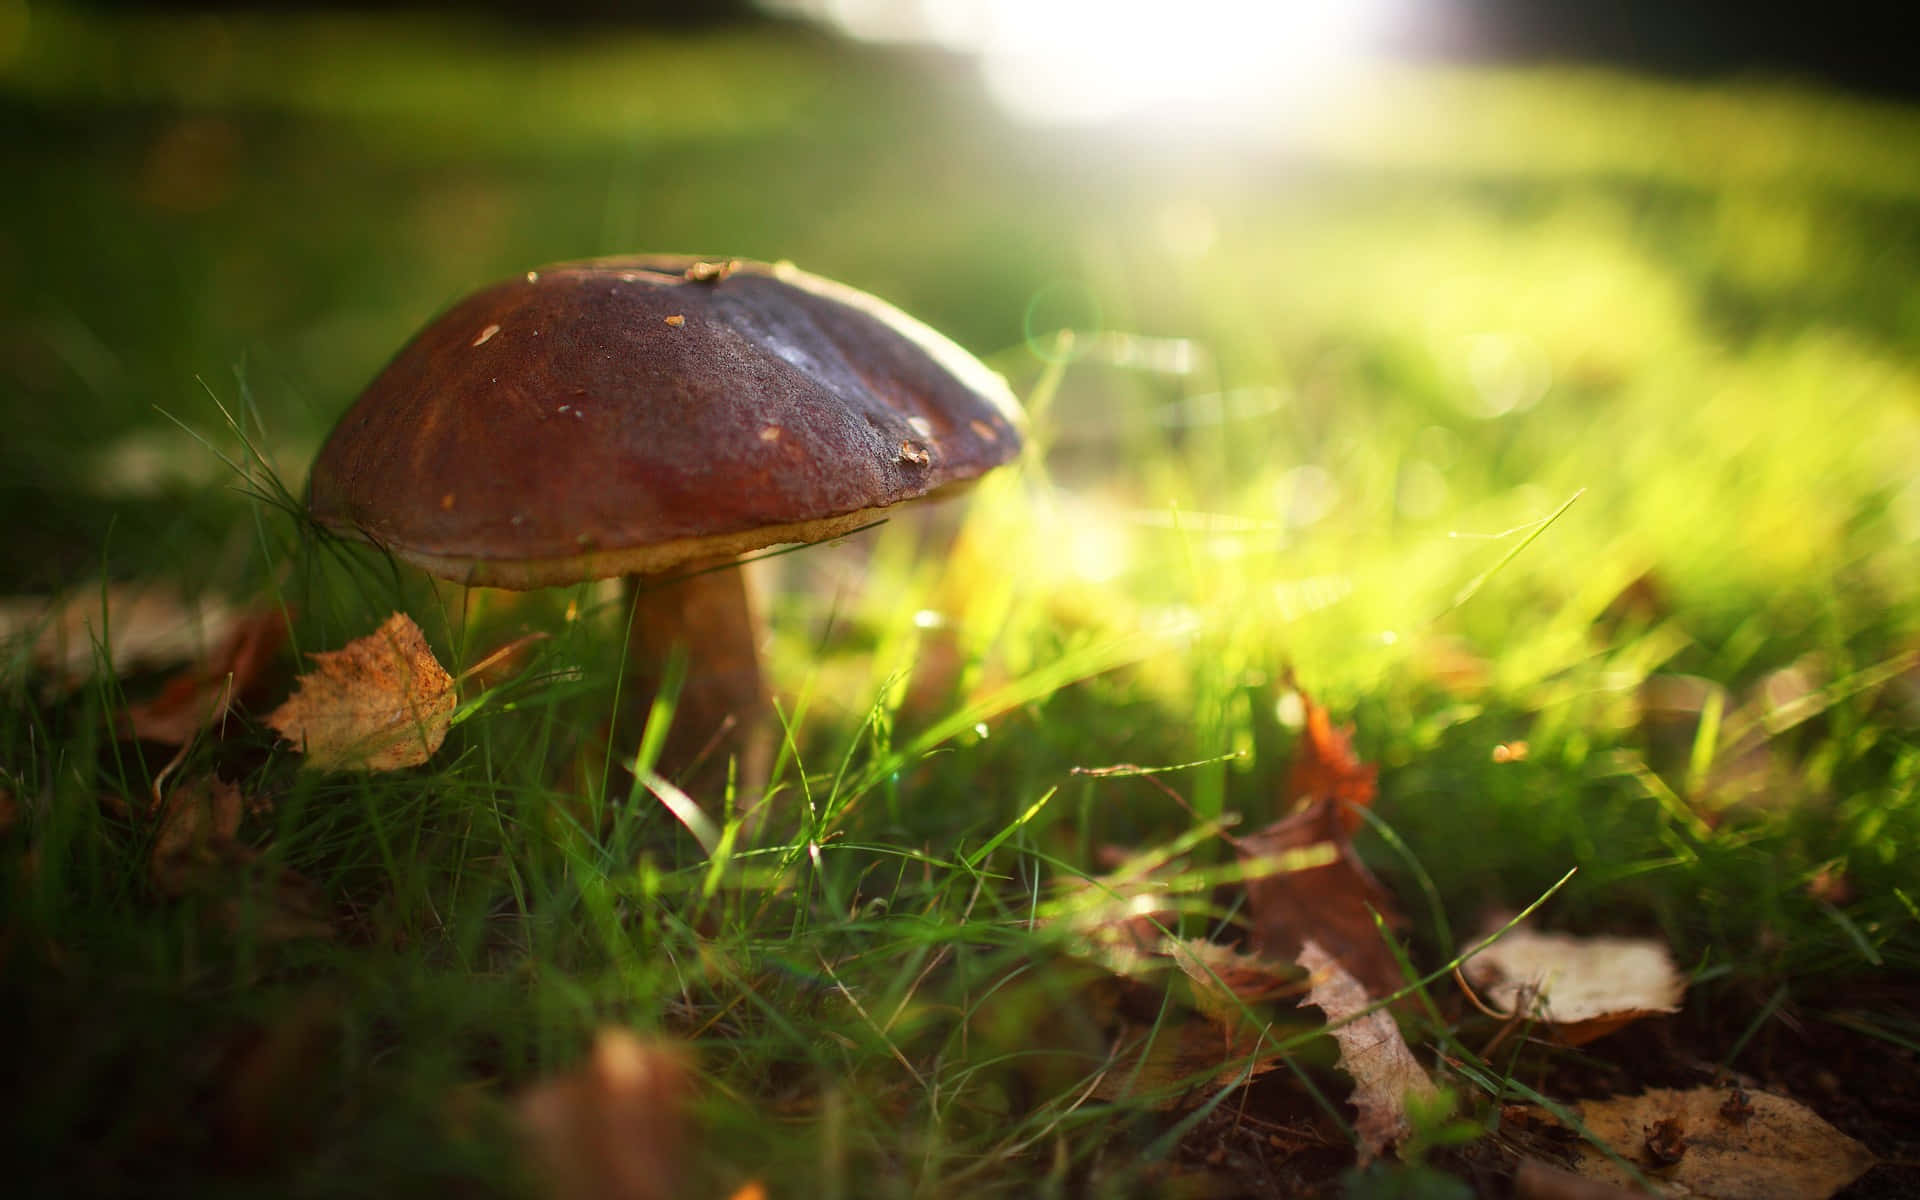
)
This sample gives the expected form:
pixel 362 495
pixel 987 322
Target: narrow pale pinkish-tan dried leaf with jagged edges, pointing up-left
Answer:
pixel 1372 1051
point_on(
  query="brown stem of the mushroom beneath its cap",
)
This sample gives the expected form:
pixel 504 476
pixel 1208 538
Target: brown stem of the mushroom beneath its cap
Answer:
pixel 723 715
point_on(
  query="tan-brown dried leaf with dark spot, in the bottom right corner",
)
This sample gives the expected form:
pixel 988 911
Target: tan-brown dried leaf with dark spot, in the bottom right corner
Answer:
pixel 1779 1151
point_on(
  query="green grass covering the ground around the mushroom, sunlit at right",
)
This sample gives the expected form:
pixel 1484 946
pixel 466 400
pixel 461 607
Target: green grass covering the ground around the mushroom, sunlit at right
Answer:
pixel 1330 389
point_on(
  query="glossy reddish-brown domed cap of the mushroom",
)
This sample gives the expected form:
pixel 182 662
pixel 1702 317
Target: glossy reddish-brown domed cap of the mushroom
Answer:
pixel 631 416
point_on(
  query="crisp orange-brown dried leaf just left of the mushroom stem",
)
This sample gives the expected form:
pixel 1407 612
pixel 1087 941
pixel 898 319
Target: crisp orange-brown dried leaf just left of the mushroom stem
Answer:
pixel 379 704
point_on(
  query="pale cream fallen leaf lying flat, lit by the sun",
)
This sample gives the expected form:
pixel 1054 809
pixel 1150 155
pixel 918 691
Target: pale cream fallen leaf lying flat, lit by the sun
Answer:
pixel 1583 988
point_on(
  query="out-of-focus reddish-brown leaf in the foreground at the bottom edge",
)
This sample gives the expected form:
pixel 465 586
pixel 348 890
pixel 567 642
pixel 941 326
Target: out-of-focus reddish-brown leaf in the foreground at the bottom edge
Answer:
pixel 615 1128
